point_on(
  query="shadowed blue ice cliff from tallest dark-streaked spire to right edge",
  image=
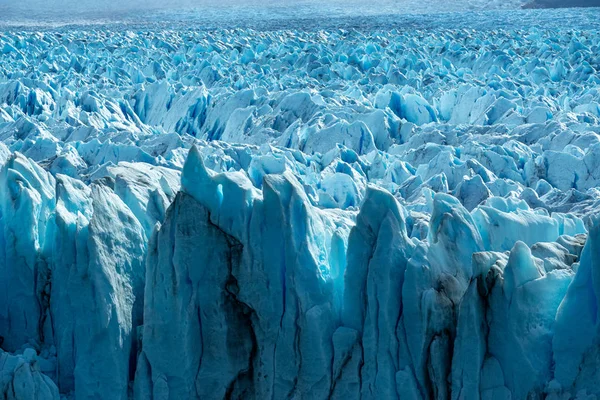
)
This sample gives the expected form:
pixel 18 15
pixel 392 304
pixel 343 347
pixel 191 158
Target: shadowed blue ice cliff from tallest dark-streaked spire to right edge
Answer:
pixel 441 318
